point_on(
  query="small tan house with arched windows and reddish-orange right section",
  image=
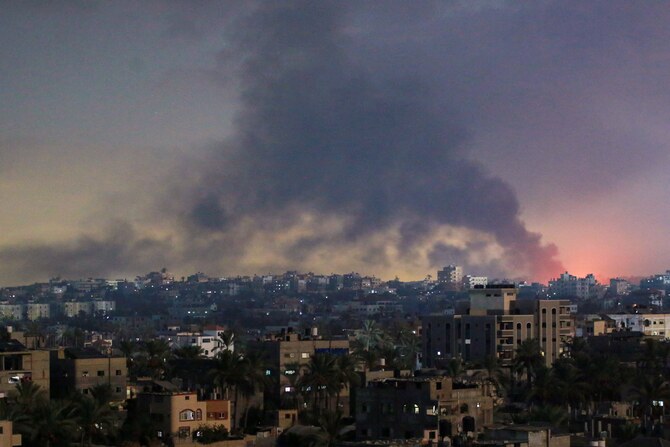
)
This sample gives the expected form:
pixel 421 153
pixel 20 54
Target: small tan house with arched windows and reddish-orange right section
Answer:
pixel 178 414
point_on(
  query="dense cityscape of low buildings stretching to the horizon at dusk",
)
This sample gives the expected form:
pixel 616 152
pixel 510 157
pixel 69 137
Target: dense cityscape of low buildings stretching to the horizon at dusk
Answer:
pixel 412 362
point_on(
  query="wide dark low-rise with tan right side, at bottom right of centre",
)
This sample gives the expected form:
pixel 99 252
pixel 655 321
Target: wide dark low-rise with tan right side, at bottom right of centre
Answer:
pixel 427 408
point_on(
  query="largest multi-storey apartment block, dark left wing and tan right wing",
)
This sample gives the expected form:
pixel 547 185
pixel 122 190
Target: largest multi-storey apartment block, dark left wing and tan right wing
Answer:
pixel 496 323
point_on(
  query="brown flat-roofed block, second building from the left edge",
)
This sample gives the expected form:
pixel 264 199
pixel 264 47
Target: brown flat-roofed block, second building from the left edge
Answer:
pixel 82 369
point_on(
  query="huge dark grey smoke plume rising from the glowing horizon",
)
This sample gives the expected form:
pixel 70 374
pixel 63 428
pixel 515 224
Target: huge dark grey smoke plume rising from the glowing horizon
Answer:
pixel 324 140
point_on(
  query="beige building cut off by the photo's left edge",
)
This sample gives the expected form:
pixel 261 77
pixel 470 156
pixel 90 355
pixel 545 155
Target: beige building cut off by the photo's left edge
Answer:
pixel 17 364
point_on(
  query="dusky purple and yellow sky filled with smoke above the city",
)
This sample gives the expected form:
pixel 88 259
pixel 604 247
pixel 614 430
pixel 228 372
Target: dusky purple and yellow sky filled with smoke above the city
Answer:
pixel 518 139
